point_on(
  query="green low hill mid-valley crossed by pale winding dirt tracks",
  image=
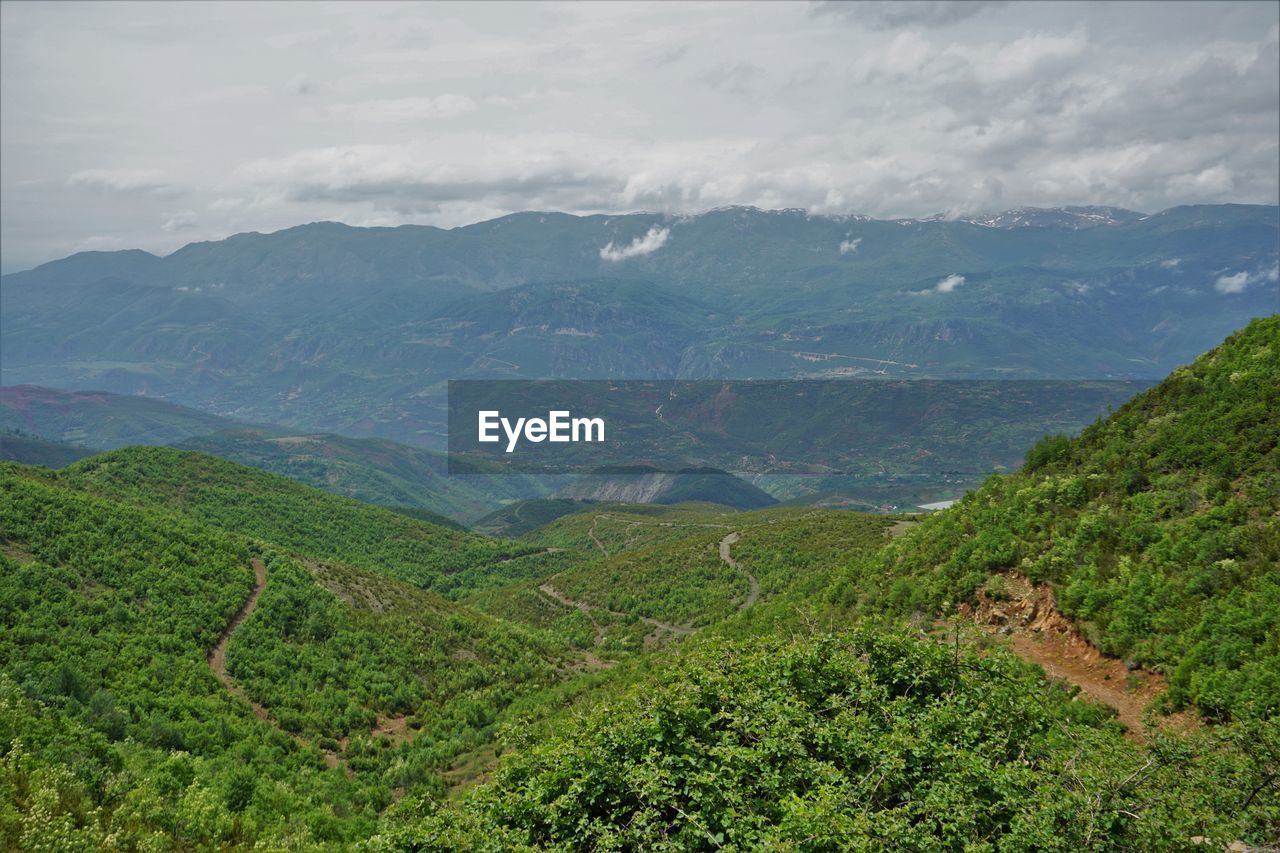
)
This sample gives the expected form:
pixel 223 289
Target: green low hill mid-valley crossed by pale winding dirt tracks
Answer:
pixel 633 578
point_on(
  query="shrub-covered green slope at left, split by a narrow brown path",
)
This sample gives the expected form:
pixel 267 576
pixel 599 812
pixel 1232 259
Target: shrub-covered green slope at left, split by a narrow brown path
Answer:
pixel 112 610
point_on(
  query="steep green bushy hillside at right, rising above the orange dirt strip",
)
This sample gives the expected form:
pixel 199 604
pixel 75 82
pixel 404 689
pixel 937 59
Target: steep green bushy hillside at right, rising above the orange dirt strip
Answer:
pixel 1158 530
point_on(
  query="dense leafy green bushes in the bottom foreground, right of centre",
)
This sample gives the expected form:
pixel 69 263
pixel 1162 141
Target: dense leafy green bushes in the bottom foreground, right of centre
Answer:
pixel 870 740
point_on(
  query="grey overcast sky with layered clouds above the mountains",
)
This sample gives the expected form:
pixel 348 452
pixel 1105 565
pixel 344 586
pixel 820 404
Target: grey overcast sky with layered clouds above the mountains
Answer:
pixel 157 125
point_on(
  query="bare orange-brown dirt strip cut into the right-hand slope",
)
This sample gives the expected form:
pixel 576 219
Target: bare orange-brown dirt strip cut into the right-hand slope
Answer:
pixel 1039 633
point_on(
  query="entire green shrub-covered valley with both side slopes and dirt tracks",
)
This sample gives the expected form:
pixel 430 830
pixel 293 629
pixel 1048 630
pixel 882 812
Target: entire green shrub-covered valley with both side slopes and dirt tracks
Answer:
pixel 216 637
